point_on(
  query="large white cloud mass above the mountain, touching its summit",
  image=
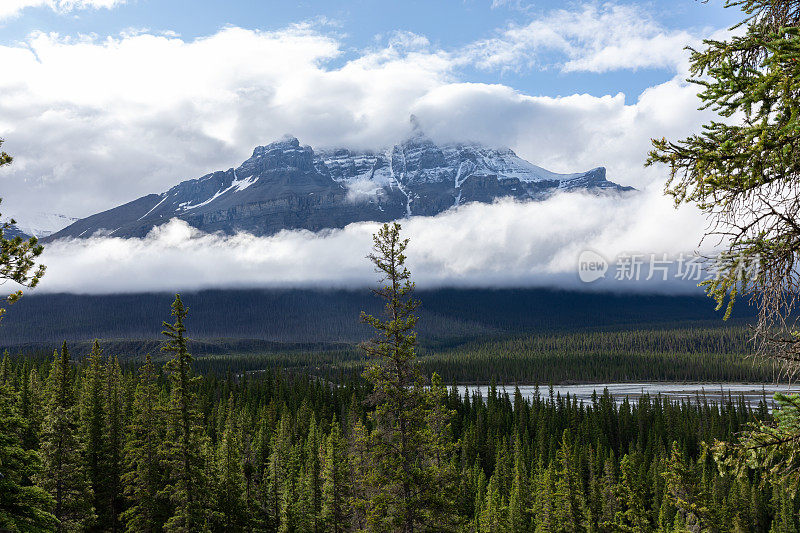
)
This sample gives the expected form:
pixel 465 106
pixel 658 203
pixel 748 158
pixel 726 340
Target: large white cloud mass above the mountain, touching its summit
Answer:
pixel 94 122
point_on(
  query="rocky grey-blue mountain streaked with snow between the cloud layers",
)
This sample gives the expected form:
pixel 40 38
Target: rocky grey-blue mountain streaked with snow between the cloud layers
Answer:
pixel 288 186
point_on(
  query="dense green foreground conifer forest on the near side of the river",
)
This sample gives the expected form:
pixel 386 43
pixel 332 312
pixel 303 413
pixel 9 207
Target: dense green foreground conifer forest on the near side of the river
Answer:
pixel 86 445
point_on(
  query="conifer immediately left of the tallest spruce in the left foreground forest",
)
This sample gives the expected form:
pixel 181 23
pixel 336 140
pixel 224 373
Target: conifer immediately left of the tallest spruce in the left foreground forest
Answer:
pixel 144 476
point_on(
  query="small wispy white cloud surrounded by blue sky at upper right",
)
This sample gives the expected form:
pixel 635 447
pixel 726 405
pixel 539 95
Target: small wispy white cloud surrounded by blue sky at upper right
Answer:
pixel 593 38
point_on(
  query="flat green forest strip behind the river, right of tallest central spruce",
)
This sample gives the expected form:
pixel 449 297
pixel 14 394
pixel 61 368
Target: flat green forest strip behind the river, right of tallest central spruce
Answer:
pixel 676 354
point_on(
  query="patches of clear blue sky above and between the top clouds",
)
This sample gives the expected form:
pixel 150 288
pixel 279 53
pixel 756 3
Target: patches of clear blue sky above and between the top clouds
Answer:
pixel 361 24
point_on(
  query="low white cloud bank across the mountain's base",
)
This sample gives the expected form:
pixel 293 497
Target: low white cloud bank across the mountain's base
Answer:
pixel 534 244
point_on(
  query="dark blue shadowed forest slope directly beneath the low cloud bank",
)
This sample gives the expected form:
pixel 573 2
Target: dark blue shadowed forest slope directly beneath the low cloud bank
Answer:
pixel 331 316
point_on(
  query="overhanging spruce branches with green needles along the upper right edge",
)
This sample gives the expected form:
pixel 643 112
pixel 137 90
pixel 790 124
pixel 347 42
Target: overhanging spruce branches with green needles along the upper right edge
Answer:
pixel 742 169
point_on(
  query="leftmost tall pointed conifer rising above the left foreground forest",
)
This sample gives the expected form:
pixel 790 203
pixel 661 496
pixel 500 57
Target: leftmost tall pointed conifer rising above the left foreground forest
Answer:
pixel 63 475
